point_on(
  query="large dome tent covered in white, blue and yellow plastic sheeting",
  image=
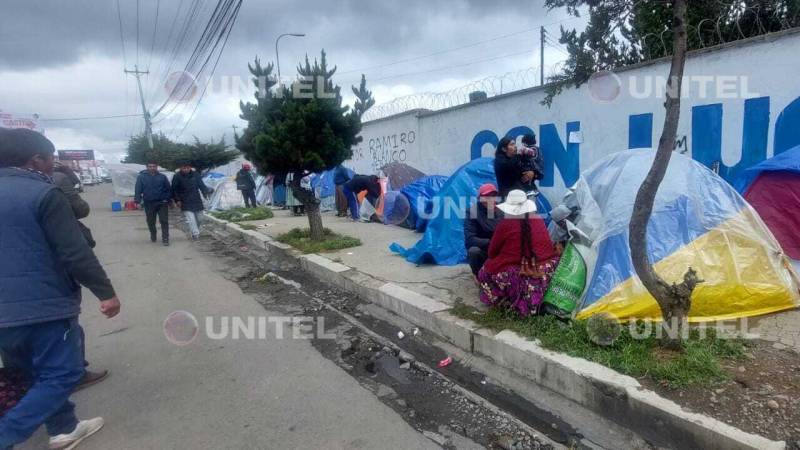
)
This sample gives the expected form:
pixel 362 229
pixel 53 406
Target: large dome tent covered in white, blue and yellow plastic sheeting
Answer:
pixel 698 221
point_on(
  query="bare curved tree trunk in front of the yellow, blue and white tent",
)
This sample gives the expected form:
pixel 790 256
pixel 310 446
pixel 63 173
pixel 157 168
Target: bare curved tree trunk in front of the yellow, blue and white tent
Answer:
pixel 674 300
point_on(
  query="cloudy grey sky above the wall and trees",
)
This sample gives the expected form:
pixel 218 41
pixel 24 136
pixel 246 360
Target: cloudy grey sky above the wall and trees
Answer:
pixel 64 59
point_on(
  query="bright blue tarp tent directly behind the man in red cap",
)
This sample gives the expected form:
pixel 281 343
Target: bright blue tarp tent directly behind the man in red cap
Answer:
pixel 443 242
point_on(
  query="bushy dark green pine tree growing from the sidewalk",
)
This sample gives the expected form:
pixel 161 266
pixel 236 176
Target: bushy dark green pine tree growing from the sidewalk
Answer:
pixel 300 130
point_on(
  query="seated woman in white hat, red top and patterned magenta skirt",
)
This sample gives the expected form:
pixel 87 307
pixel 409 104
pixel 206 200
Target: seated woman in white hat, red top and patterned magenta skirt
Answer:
pixel 522 258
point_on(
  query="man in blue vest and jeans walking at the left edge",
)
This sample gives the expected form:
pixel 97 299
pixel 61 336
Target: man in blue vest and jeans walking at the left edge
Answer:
pixel 45 260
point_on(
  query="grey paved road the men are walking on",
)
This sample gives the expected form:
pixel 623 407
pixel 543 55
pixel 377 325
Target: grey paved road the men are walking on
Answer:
pixel 210 394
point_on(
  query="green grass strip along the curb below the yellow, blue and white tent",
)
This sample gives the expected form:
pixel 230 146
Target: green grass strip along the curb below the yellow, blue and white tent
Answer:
pixel 698 365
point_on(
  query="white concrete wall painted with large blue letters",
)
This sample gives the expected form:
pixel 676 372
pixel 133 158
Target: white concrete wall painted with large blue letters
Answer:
pixel 763 72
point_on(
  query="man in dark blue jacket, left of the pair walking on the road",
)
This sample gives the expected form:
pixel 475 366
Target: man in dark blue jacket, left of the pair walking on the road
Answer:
pixel 154 192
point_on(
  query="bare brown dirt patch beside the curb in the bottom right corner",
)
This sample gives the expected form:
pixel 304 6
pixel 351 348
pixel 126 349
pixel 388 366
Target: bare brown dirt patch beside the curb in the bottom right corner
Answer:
pixel 762 395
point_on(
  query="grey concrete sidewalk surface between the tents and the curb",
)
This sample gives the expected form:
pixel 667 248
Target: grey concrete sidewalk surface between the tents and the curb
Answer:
pixel 449 284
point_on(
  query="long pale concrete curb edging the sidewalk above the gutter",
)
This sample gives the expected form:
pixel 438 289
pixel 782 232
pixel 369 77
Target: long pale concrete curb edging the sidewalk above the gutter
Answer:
pixel 597 388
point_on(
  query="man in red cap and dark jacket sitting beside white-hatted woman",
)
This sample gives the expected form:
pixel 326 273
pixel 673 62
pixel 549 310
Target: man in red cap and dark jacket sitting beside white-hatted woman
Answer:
pixel 479 227
